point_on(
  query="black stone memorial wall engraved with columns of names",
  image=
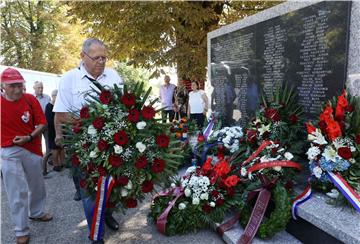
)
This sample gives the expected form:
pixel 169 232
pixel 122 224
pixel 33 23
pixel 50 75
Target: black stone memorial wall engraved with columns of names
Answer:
pixel 306 46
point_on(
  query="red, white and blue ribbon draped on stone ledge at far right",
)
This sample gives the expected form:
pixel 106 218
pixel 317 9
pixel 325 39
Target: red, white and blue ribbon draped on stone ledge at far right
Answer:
pixel 345 189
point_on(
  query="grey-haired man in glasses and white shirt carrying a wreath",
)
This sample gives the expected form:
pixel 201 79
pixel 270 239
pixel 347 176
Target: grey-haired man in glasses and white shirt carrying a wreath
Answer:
pixel 72 87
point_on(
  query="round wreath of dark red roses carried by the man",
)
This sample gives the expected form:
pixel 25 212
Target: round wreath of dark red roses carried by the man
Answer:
pixel 117 134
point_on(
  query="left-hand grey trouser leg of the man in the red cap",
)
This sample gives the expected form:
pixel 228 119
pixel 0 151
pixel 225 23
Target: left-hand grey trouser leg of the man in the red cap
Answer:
pixel 16 188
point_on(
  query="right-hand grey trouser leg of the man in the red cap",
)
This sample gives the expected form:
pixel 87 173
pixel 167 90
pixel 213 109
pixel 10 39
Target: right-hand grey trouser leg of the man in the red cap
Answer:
pixel 33 173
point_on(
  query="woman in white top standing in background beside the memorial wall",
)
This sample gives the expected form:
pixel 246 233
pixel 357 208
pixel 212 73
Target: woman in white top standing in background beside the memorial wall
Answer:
pixel 198 104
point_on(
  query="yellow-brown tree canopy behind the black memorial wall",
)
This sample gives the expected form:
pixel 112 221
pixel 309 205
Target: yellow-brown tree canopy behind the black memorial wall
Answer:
pixel 157 34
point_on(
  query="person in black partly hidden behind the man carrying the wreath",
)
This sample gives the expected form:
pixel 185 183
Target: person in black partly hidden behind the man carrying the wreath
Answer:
pixel 58 153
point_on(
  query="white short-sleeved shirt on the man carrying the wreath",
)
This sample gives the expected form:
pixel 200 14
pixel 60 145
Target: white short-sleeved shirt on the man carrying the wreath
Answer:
pixel 74 84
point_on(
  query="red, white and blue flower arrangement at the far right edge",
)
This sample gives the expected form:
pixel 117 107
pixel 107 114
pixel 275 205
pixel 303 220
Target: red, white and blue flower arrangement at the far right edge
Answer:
pixel 334 153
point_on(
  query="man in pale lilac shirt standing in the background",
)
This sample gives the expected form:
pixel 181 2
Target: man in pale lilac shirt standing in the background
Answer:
pixel 167 99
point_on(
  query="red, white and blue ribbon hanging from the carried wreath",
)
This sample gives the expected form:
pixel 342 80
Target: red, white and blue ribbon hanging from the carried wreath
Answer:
pixel 105 185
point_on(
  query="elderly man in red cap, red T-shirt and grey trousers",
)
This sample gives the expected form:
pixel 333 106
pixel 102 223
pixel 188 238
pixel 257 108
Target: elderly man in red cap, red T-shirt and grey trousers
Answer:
pixel 22 121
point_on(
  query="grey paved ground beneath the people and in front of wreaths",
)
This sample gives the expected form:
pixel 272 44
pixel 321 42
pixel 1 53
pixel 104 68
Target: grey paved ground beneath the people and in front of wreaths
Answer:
pixel 69 224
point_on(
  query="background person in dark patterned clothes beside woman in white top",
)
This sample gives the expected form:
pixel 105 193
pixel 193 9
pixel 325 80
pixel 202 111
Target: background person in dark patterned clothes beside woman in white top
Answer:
pixel 181 100
